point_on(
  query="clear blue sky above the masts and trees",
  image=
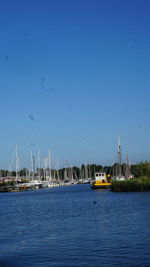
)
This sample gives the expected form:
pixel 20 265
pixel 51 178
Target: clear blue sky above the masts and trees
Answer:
pixel 73 74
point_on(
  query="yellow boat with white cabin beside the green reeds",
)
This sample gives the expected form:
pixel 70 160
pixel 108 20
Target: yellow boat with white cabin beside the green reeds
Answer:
pixel 101 181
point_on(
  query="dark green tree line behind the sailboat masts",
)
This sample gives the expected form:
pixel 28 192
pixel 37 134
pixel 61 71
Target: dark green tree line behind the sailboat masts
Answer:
pixel 141 169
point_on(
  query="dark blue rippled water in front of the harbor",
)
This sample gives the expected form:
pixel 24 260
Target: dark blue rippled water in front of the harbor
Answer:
pixel 74 226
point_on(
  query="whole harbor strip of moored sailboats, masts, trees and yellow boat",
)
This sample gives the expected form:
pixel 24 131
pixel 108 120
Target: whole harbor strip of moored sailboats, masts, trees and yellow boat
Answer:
pixel 118 177
